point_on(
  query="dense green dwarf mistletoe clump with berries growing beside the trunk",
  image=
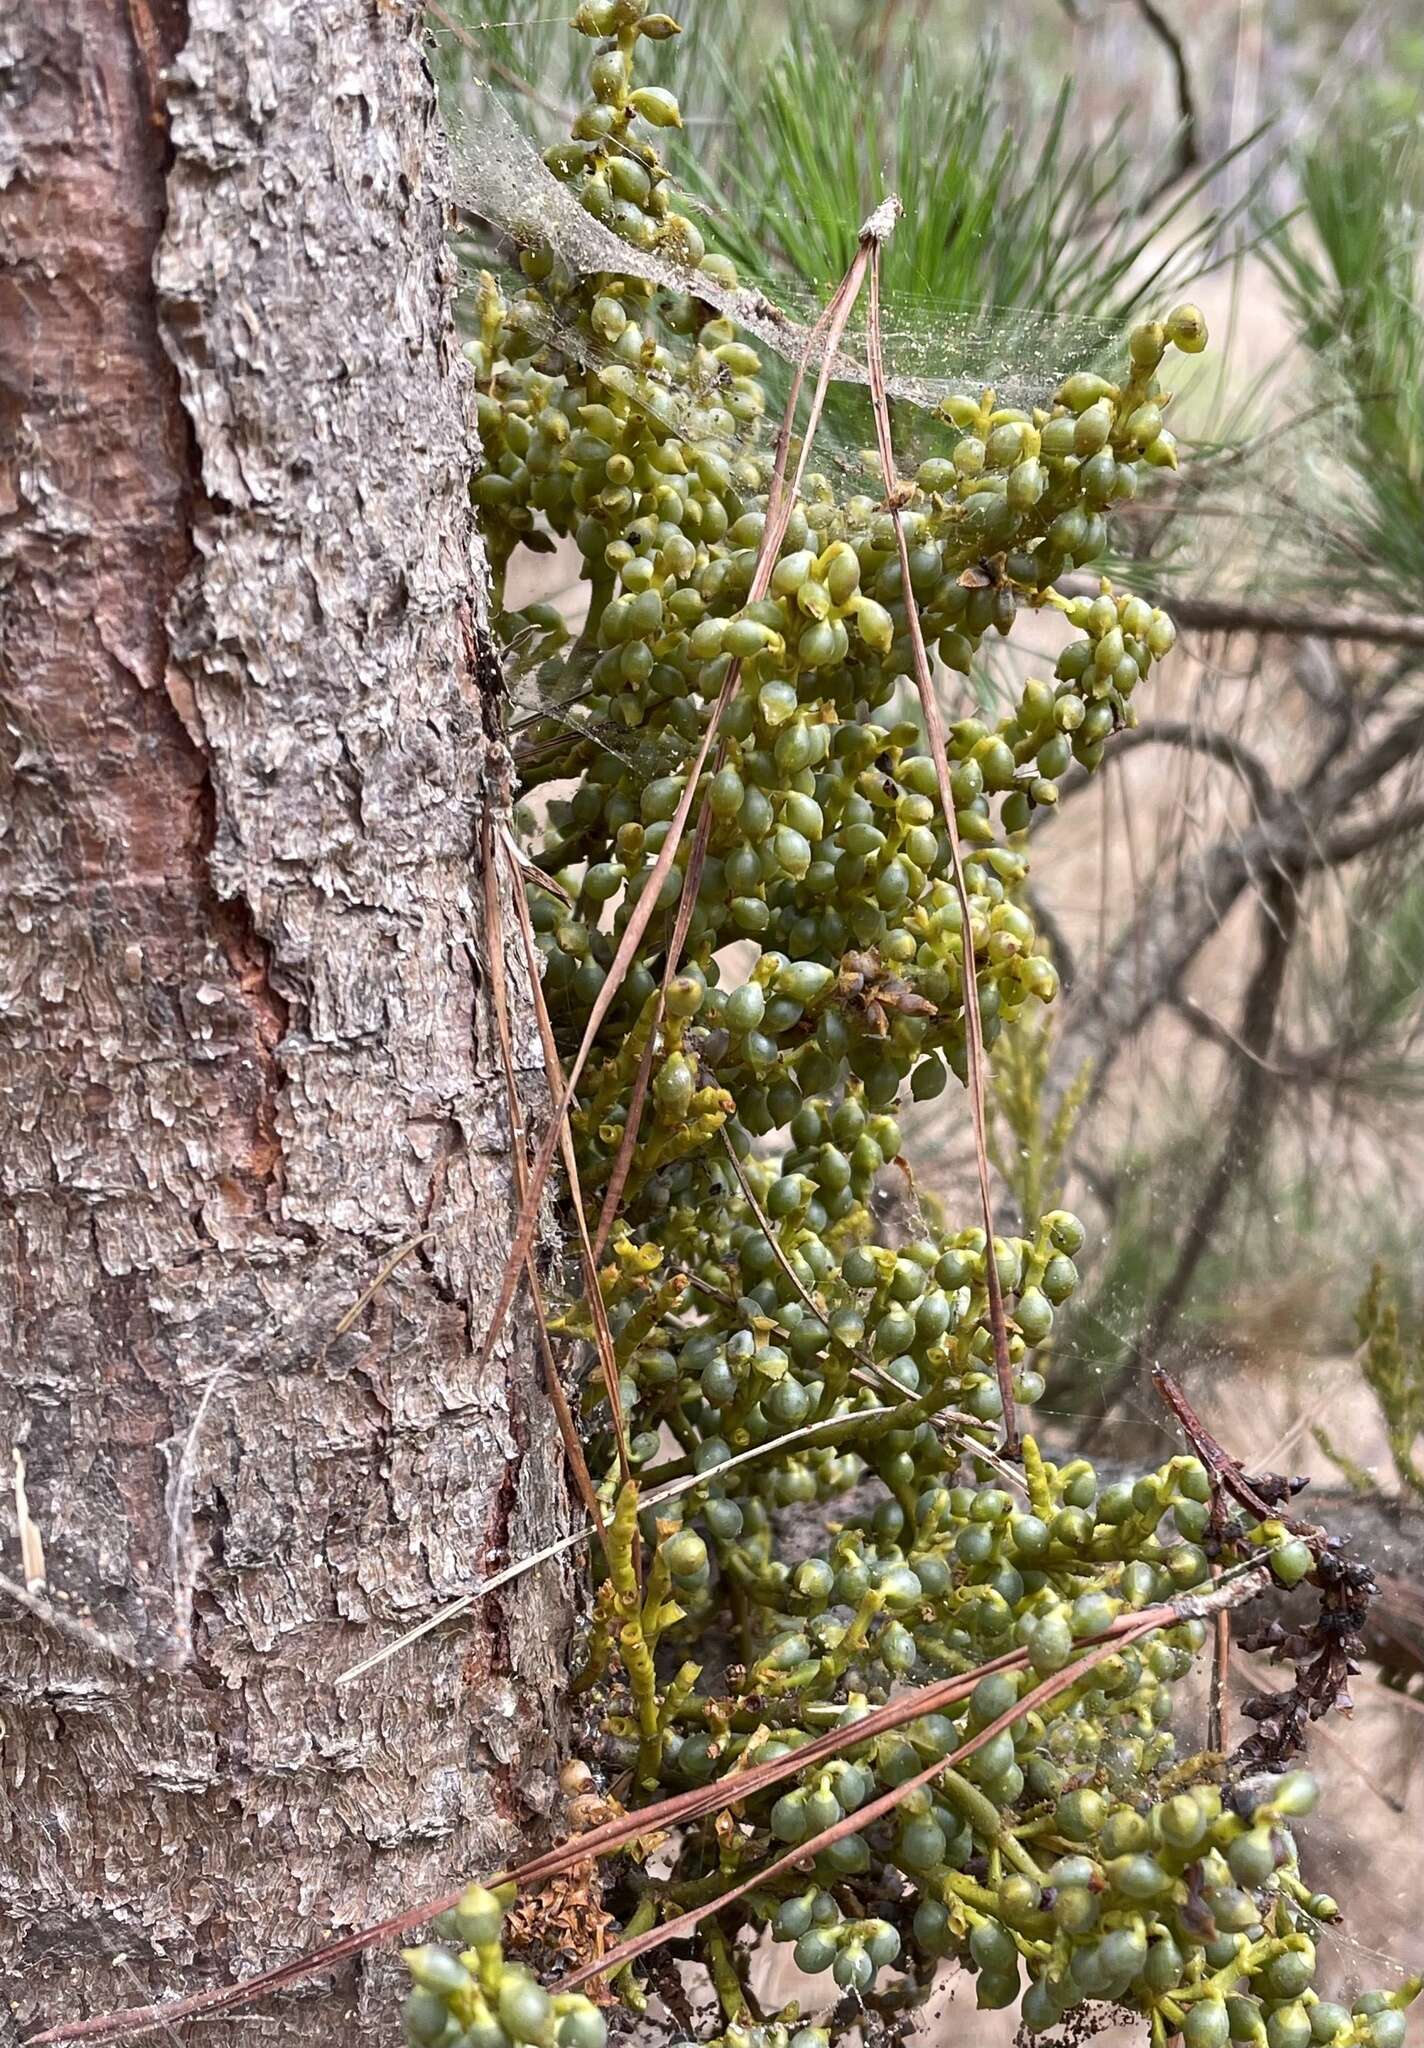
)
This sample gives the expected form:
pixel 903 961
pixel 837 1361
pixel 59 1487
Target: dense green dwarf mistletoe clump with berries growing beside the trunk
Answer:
pixel 907 1697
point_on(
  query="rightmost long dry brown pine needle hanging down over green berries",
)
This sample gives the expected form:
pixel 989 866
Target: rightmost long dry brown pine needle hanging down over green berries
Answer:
pixel 935 732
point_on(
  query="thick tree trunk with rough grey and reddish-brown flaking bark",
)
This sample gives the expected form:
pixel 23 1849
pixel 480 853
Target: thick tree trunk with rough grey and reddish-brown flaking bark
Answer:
pixel 249 726
